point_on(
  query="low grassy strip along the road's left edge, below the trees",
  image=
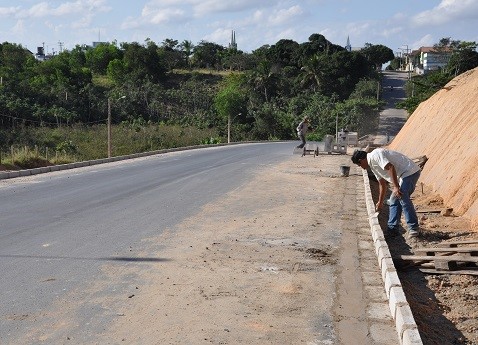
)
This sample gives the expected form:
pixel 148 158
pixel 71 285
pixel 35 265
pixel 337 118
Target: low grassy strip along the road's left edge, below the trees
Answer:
pixel 47 146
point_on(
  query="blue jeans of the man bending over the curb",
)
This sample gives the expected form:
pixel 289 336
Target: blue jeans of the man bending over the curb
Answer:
pixel 396 206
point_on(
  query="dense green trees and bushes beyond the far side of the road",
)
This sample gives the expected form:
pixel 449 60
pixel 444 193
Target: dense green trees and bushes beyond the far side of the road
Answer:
pixel 151 90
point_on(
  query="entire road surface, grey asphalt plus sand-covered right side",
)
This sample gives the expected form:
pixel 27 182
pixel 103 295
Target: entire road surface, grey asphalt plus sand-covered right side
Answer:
pixel 244 244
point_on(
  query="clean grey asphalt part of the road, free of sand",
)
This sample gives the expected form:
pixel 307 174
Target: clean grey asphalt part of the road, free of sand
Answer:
pixel 58 229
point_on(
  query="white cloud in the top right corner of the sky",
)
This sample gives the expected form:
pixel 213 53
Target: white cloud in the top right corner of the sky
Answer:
pixel 447 11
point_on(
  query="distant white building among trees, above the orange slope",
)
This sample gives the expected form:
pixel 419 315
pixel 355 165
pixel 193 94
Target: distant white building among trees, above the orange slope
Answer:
pixel 427 59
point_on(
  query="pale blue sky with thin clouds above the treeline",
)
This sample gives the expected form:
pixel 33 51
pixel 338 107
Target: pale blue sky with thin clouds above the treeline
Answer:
pixel 396 24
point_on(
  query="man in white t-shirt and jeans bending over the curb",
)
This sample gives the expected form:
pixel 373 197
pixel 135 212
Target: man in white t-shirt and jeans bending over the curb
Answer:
pixel 402 173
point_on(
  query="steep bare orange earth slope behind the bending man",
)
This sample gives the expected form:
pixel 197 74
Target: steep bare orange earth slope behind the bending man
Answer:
pixel 445 128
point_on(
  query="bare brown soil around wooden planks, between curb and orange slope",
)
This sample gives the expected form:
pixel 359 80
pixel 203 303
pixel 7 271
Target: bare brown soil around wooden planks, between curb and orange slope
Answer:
pixel 445 306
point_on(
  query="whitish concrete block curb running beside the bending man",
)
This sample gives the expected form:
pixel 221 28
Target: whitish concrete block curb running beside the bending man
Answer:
pixel 399 308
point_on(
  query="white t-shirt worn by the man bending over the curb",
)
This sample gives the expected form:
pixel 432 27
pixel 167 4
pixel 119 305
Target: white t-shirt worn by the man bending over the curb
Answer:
pixel 379 158
